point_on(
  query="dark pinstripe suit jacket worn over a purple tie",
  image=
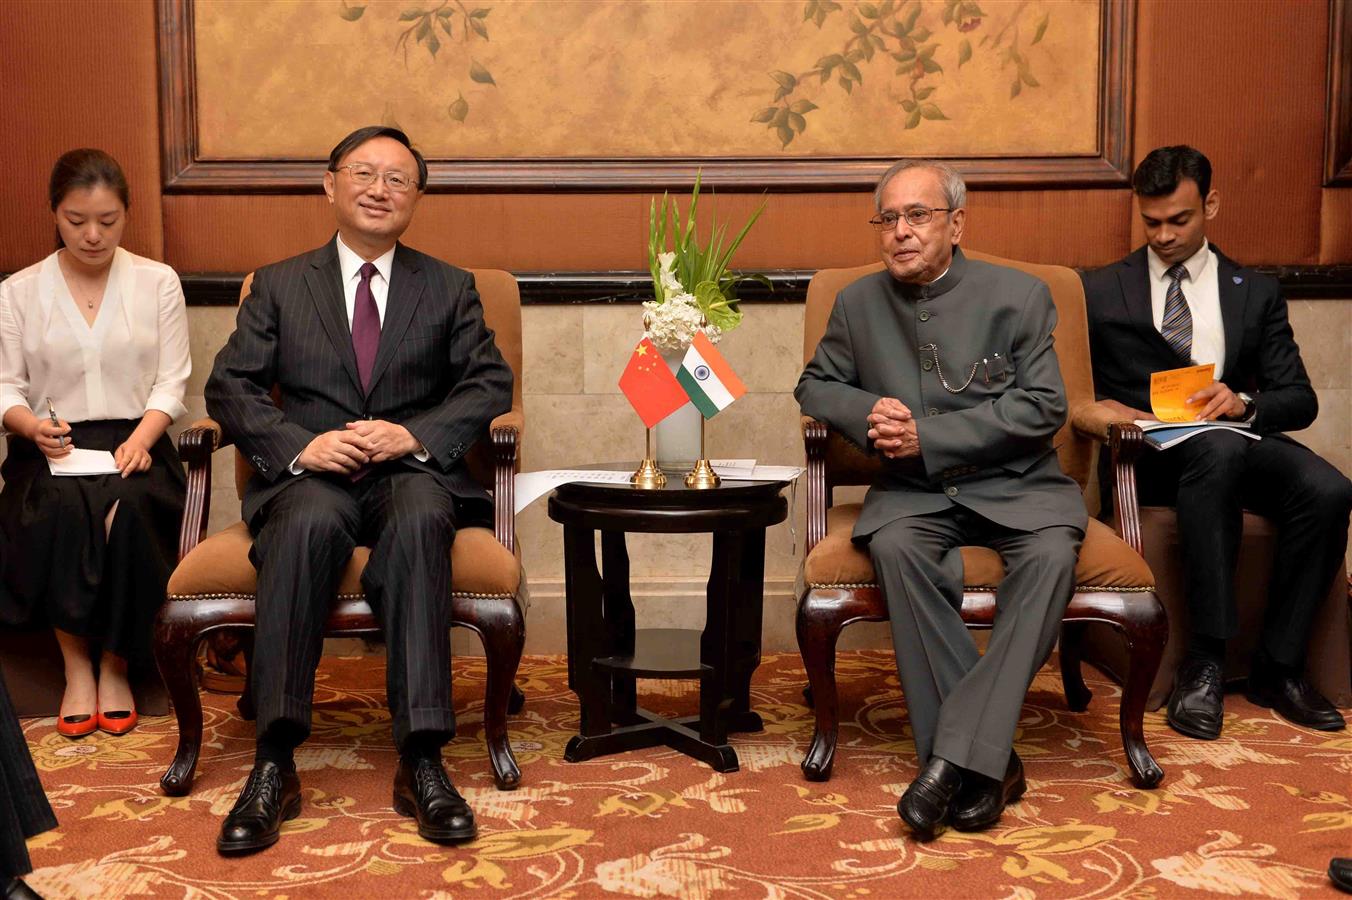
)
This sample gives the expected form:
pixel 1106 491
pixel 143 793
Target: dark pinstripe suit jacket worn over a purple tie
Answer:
pixel 437 372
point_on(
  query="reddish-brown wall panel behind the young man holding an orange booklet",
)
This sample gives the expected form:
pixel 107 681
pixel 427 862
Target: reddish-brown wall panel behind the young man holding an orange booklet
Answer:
pixel 1243 82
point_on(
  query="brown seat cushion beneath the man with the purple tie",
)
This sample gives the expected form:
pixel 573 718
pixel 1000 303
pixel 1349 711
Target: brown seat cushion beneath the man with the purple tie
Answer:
pixel 221 566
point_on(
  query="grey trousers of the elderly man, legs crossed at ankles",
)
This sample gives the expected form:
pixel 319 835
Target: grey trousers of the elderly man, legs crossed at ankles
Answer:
pixel 965 706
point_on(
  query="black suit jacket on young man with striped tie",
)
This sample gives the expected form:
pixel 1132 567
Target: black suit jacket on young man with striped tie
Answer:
pixel 1261 352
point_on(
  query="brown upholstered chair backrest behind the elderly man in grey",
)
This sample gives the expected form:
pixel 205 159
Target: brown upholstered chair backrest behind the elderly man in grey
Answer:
pixel 847 466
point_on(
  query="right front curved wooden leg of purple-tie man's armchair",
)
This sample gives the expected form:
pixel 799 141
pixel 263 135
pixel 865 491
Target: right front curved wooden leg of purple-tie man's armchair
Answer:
pixel 504 632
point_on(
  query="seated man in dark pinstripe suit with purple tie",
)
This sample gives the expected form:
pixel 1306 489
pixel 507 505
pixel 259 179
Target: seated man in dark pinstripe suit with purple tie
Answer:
pixel 387 375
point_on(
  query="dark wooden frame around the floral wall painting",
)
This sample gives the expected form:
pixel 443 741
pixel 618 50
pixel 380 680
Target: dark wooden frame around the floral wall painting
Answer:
pixel 187 172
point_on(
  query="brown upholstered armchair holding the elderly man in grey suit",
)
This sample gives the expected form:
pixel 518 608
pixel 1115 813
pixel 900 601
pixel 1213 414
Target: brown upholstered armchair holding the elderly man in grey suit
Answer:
pixel 1113 584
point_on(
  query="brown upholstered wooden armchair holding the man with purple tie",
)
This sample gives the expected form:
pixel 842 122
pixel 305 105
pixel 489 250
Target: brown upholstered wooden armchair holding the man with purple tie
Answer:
pixel 213 589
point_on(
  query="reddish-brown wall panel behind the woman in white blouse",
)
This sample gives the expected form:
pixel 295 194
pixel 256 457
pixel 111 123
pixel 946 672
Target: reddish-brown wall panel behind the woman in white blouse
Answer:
pixel 76 75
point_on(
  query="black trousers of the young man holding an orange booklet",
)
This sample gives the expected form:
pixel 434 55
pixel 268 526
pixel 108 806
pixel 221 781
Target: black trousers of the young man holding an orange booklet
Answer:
pixel 1211 480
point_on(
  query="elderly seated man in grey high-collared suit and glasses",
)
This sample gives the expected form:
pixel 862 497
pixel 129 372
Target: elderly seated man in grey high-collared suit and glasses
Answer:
pixel 944 368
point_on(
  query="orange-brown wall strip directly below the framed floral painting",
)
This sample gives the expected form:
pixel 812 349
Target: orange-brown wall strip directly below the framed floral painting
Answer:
pixel 546 233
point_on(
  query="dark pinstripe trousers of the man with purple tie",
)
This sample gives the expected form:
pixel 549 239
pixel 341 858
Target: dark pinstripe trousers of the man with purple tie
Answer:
pixel 304 539
